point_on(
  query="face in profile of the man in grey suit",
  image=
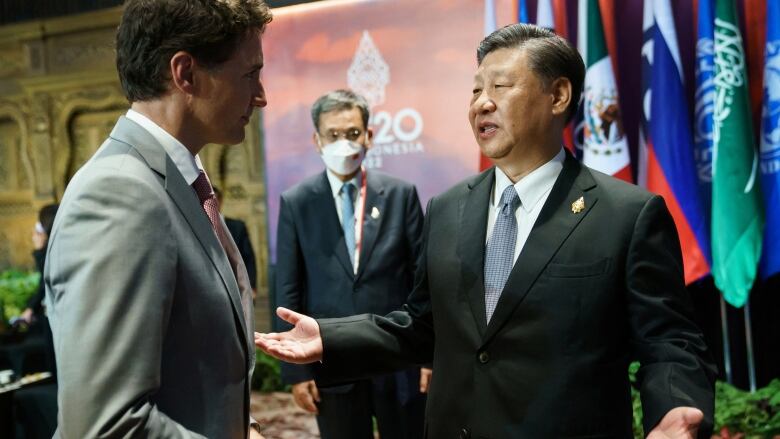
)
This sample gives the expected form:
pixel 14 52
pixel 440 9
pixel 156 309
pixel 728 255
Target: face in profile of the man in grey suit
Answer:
pixel 229 94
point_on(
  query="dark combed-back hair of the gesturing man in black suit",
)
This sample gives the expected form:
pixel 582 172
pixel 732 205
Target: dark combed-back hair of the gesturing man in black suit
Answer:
pixel 549 56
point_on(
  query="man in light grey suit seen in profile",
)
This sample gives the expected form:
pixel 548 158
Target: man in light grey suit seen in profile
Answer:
pixel 149 301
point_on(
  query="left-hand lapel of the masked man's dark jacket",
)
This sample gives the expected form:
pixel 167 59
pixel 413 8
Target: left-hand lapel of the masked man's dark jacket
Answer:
pixel 332 231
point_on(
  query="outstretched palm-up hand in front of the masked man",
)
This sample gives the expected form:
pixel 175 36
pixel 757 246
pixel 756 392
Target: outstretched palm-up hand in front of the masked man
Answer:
pixel 302 344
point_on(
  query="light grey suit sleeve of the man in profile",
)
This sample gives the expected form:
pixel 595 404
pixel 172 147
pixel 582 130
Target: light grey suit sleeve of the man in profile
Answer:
pixel 110 279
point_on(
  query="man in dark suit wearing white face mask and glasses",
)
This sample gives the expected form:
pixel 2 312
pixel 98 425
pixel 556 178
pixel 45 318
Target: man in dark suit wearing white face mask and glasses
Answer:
pixel 348 242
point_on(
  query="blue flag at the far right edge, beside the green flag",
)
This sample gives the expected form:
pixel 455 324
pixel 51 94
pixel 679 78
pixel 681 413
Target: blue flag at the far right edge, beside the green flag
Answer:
pixel 770 143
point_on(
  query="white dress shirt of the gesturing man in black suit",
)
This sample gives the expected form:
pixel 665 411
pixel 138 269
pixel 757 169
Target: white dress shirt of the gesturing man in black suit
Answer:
pixel 533 190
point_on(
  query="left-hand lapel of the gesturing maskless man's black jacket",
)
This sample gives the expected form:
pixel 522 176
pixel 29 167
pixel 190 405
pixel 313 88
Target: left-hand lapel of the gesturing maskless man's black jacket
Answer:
pixel 471 244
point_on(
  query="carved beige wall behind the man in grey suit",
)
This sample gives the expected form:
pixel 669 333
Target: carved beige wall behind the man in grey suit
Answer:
pixel 59 99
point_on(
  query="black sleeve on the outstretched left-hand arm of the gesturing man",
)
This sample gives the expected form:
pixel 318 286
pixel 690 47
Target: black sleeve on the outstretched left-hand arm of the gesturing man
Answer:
pixel 366 345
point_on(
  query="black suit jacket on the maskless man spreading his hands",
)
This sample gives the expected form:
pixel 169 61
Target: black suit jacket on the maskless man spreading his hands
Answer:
pixel 590 292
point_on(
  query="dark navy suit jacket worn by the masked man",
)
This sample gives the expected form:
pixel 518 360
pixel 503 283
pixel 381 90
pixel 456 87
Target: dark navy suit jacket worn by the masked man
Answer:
pixel 314 274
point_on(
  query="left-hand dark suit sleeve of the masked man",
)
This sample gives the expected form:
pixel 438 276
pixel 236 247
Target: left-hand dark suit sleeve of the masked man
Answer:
pixel 290 283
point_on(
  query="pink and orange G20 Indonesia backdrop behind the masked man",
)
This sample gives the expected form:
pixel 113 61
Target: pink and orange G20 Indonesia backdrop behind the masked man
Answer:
pixel 413 61
